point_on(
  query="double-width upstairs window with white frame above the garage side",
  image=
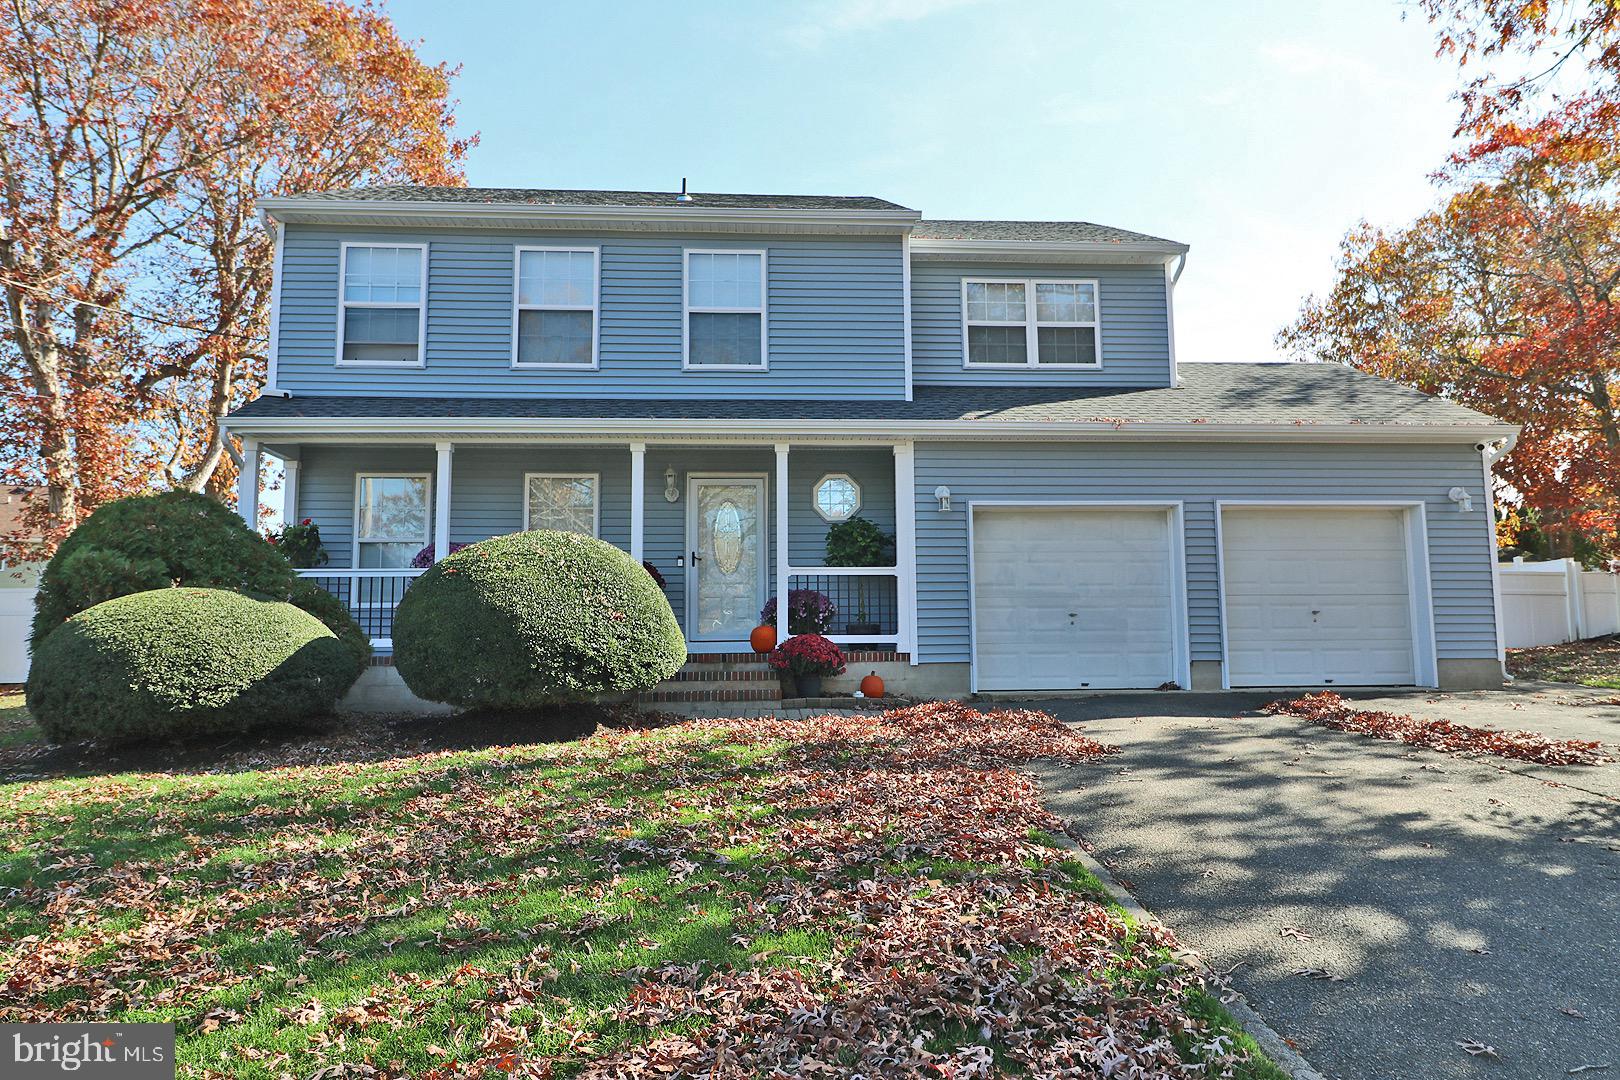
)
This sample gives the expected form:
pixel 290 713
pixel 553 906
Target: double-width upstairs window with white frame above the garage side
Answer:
pixel 1012 323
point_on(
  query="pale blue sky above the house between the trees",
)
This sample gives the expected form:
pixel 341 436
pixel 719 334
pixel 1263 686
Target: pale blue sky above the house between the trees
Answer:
pixel 1258 132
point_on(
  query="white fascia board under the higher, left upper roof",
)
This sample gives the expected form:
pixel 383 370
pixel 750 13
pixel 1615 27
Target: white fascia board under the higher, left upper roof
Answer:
pixel 495 215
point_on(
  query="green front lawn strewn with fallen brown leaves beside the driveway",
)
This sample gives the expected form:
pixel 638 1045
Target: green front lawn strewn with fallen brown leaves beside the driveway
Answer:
pixel 686 898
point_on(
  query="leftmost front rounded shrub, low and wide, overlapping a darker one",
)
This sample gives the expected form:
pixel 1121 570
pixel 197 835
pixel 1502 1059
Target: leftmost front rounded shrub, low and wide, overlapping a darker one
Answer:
pixel 171 663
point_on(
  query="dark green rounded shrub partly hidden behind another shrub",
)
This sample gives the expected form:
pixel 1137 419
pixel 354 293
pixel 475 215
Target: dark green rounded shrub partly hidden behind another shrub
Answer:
pixel 176 538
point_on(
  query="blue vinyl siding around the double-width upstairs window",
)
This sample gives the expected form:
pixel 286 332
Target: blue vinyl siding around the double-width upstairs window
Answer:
pixel 1135 326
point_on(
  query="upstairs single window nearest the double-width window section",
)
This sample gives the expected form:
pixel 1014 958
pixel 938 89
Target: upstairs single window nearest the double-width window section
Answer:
pixel 725 310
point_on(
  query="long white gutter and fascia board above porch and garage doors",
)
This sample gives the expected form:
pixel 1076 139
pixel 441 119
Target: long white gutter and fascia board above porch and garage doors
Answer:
pixel 349 428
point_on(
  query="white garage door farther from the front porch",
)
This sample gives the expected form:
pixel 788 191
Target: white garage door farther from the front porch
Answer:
pixel 1318 598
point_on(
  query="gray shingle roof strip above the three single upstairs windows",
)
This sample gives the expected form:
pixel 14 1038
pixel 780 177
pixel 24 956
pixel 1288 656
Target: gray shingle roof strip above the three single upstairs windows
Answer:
pixel 566 197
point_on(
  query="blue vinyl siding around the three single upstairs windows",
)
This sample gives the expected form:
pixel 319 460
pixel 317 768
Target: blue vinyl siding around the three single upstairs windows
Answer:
pixel 835 318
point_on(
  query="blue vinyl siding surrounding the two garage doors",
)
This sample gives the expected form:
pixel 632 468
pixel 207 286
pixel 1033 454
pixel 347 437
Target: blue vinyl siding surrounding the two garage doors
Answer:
pixel 1460 545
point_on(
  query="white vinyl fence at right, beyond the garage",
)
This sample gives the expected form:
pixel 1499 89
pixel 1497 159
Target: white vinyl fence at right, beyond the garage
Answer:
pixel 1546 603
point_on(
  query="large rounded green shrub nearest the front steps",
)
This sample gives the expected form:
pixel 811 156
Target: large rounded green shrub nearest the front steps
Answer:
pixel 535 619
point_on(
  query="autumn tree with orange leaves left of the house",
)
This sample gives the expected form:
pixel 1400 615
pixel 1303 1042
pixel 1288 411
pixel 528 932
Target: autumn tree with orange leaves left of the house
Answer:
pixel 135 138
